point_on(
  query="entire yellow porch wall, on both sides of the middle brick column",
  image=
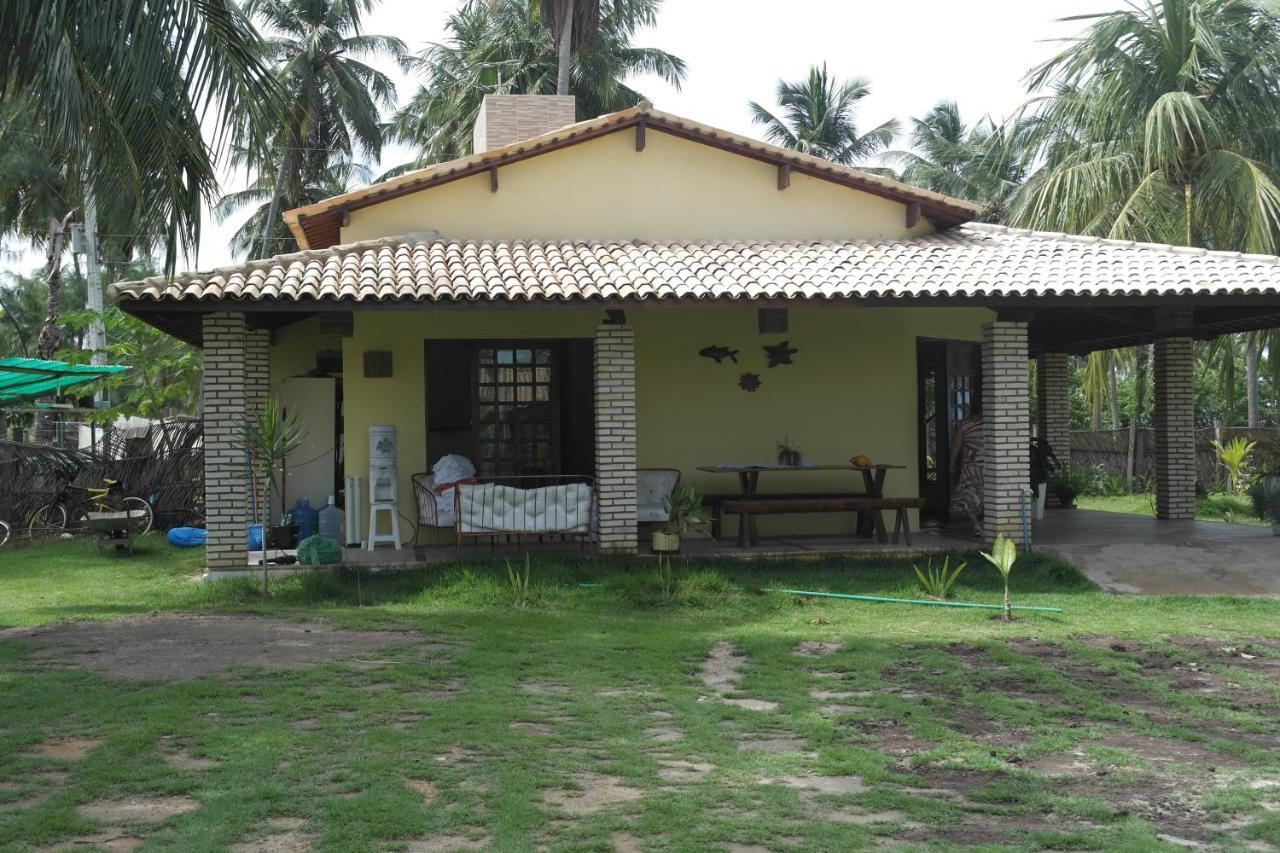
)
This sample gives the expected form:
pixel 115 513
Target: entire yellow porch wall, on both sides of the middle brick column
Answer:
pixel 851 391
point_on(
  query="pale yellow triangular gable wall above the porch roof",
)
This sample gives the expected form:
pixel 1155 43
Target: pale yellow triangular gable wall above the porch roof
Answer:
pixel 604 189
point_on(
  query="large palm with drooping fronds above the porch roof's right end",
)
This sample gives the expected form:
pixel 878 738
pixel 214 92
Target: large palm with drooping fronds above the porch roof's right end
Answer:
pixel 1162 127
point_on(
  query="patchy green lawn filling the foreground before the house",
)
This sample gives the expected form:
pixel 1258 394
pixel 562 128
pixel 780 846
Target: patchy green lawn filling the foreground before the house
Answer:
pixel 619 718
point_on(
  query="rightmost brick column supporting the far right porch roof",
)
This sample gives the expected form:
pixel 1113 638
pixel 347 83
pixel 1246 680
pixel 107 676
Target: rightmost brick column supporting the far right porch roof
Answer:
pixel 1174 419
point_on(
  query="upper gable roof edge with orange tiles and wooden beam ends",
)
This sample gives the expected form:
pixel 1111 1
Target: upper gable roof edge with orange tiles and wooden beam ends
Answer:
pixel 319 226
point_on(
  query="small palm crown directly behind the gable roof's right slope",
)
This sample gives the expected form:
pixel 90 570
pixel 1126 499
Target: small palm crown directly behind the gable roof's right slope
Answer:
pixel 819 118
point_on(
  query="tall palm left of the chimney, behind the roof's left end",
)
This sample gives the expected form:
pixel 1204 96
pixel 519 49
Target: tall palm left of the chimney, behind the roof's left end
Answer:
pixel 333 98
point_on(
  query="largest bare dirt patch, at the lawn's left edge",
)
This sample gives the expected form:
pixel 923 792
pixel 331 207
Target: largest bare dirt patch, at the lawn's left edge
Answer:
pixel 177 647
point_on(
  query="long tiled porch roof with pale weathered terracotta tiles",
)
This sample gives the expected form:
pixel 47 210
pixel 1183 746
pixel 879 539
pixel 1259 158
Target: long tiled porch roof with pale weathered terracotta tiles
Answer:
pixel 970 261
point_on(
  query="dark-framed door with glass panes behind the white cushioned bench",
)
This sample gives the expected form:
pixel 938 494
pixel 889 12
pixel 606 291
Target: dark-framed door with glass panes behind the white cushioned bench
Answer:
pixel 518 417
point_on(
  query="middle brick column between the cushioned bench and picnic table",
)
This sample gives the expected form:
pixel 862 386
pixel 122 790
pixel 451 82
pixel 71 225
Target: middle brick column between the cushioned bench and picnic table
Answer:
pixel 616 437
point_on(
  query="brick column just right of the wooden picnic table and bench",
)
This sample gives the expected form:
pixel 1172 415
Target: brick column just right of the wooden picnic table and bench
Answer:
pixel 1007 416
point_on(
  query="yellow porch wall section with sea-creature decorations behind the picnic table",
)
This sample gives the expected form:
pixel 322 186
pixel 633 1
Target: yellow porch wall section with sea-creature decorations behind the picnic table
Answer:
pixel 852 390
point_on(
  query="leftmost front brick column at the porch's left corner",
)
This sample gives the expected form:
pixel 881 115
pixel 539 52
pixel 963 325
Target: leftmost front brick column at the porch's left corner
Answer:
pixel 223 391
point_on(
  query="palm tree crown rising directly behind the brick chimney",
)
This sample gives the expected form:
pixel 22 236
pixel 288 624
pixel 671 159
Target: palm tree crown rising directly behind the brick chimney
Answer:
pixel 499 47
